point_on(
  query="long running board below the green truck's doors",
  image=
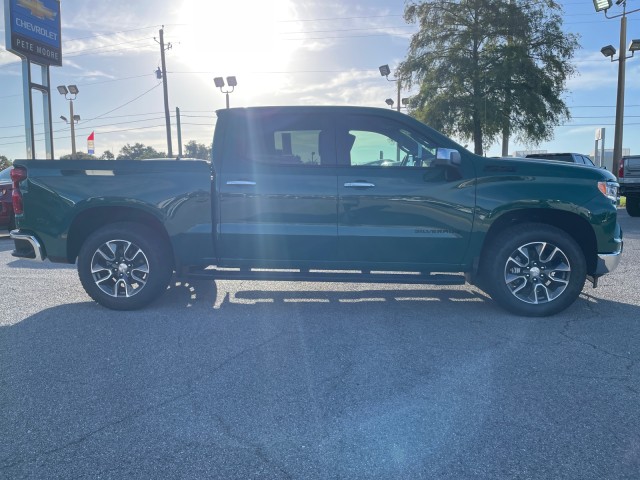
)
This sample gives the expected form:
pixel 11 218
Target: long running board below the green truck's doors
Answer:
pixel 347 276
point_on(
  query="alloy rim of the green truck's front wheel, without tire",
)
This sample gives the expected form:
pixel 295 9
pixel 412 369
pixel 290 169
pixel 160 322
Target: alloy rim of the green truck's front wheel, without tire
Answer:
pixel 537 272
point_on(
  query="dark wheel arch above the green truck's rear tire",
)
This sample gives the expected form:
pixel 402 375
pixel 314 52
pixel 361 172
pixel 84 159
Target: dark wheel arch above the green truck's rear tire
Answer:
pixel 92 219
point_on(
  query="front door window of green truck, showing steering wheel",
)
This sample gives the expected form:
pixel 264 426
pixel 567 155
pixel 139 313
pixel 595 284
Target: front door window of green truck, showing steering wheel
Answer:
pixel 374 142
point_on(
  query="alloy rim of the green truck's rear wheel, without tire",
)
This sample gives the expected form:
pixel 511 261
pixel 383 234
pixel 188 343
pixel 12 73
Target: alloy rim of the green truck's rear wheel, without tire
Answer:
pixel 120 268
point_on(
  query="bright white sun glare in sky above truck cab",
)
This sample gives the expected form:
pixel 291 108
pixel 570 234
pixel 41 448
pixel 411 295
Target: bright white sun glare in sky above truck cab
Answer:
pixel 231 38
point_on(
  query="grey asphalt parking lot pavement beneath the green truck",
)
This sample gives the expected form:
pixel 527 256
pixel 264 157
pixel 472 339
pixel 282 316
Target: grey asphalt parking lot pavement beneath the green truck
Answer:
pixel 267 380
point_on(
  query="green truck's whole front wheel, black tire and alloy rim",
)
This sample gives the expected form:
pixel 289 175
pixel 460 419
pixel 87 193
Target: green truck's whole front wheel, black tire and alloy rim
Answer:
pixel 534 270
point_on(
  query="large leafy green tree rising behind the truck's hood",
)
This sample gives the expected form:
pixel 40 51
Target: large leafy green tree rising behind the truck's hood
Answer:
pixel 484 66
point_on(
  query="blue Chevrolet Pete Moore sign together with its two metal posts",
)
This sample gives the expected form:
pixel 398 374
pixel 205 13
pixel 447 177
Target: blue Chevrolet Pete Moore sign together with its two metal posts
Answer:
pixel 33 32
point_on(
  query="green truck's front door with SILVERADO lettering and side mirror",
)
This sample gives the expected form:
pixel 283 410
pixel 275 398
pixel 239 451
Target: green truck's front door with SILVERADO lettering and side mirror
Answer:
pixel 398 206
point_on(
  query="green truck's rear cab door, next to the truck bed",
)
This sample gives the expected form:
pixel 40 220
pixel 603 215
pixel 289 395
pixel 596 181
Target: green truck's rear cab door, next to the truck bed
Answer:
pixel 277 190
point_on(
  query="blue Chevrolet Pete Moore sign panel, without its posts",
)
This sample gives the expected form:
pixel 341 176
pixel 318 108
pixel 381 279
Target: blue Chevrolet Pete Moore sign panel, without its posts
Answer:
pixel 33 30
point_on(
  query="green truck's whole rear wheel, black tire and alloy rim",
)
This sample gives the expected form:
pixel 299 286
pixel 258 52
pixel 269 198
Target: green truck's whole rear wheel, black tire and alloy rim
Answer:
pixel 124 266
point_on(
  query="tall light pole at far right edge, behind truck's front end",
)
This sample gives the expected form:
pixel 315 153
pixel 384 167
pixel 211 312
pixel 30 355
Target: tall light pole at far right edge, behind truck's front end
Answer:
pixel 610 51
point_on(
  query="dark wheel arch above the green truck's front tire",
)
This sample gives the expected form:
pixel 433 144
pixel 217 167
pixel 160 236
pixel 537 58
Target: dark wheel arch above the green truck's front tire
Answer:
pixel 571 223
